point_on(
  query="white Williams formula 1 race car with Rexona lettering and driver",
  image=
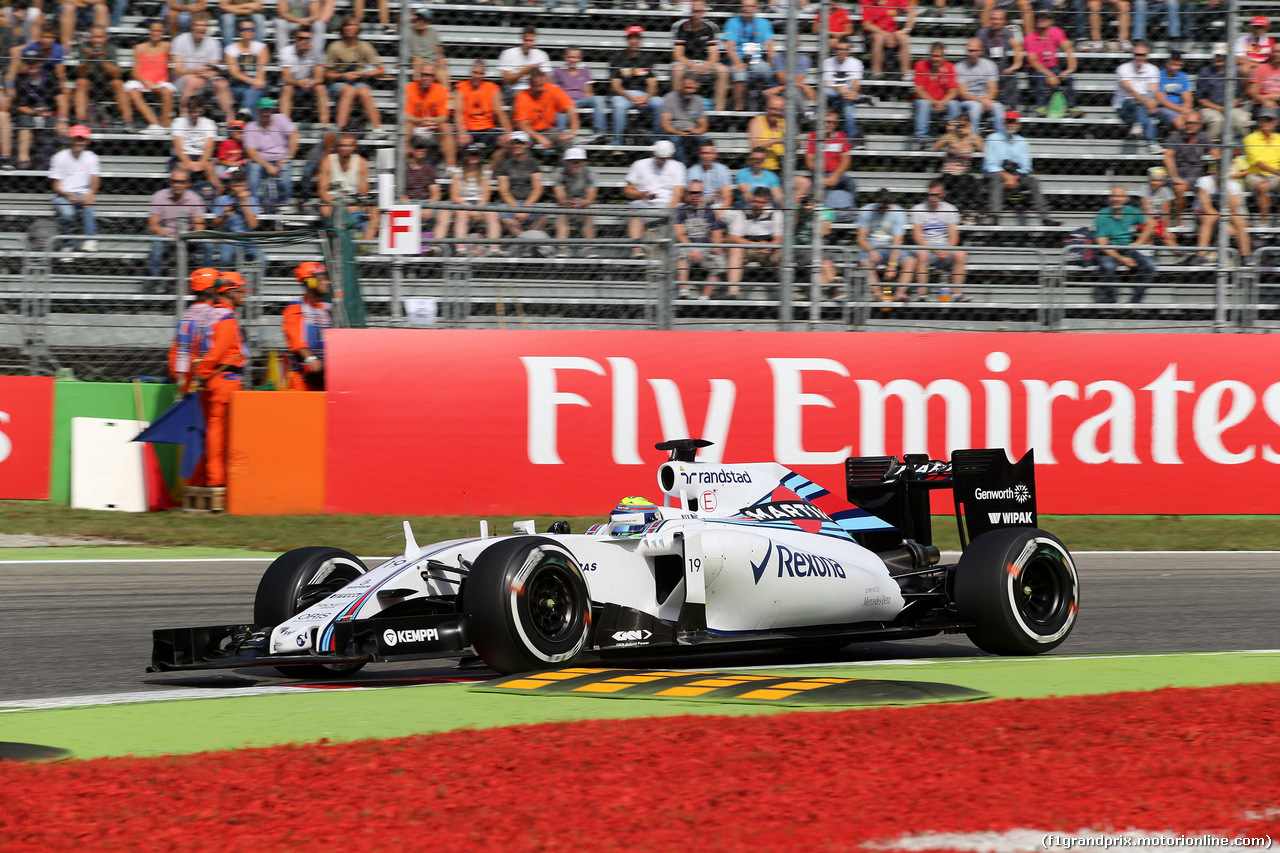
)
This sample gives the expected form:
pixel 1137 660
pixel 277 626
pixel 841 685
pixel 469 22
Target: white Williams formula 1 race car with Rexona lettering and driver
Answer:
pixel 738 556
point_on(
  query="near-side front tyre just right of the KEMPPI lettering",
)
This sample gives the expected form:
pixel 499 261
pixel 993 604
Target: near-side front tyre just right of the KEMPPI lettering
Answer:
pixel 529 605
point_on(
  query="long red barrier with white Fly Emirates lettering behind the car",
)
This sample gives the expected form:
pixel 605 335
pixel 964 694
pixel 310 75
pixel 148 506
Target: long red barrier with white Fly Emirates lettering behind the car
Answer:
pixel 452 422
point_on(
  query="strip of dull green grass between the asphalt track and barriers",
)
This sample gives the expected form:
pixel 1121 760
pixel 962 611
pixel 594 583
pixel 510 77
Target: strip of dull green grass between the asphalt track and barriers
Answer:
pixel 380 535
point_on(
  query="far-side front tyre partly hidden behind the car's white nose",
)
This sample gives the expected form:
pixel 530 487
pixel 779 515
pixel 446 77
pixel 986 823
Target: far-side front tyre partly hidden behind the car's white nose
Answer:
pixel 296 581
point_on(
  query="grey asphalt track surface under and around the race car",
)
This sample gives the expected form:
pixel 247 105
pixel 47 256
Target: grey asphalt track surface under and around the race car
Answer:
pixel 85 628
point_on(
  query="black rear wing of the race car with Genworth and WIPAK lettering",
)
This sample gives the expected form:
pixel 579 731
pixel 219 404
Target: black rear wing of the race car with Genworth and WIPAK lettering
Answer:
pixel 989 491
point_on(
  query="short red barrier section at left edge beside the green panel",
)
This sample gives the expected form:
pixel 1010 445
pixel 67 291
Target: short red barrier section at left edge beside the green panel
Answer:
pixel 26 436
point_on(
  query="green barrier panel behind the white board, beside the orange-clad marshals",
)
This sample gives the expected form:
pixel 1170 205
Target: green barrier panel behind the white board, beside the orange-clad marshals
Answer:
pixel 75 399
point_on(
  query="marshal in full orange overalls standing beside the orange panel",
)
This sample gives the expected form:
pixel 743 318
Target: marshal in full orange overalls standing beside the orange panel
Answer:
pixel 222 370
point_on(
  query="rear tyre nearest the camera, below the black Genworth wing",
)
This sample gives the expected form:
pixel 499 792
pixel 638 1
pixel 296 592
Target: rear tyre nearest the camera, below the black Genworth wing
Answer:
pixel 1021 590
